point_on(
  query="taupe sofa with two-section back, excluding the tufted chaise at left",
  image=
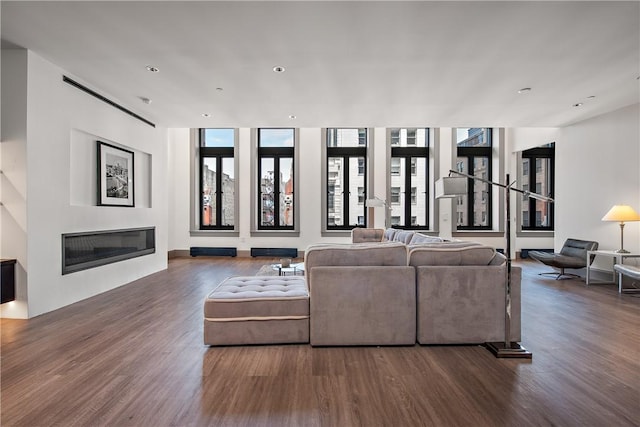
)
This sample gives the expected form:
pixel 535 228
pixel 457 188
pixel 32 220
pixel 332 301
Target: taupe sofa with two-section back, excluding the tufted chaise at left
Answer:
pixel 396 287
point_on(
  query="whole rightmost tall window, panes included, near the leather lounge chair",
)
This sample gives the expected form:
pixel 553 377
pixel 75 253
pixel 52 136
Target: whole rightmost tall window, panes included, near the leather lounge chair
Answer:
pixel 537 173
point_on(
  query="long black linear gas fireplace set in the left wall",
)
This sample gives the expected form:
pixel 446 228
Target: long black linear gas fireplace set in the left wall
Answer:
pixel 81 251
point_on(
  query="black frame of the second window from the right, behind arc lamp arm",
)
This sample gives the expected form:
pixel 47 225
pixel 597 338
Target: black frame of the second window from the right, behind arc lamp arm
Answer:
pixel 471 153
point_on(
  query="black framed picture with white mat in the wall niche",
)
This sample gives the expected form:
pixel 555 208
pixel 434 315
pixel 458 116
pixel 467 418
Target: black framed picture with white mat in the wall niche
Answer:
pixel 115 176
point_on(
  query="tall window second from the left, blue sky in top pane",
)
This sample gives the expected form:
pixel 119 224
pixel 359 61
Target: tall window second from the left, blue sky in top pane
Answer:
pixel 276 184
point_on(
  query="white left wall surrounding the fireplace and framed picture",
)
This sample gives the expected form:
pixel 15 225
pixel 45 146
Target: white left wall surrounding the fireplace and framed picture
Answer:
pixel 62 126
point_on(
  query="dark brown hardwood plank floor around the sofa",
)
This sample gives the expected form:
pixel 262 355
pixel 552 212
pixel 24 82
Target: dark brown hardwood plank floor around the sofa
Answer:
pixel 134 356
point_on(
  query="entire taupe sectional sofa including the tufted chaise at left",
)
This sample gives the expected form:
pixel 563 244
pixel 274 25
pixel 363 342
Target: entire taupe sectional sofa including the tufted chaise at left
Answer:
pixel 388 287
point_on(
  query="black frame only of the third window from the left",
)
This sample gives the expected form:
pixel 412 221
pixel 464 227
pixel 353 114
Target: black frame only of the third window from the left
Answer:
pixel 345 153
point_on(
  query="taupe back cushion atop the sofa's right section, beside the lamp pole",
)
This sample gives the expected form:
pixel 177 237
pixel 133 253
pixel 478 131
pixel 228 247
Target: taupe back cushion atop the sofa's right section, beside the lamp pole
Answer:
pixel 451 254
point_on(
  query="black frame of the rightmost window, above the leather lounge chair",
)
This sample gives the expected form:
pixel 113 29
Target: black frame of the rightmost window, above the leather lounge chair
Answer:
pixel 533 155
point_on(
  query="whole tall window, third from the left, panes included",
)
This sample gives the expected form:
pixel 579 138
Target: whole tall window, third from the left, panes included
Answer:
pixel 346 178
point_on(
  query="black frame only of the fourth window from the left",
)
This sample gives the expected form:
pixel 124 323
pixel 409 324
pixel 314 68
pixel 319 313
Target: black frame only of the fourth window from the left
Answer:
pixel 406 154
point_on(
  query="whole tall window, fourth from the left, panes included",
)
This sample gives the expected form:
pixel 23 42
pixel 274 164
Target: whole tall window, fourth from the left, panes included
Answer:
pixel 409 199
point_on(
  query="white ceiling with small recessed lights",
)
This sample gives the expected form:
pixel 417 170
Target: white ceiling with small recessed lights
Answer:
pixel 361 63
